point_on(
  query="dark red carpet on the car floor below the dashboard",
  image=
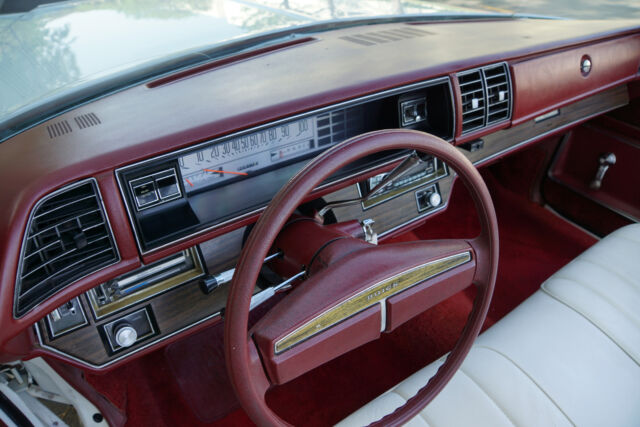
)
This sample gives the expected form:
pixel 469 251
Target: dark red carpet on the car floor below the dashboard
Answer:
pixel 534 244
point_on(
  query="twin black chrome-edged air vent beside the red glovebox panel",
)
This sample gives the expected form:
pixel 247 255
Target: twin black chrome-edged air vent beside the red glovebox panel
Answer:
pixel 486 96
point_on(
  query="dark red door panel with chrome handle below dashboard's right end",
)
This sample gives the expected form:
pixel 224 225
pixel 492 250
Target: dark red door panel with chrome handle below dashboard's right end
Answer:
pixel 576 165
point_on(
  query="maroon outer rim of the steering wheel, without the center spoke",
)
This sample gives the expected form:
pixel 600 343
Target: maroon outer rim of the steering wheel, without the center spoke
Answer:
pixel 244 364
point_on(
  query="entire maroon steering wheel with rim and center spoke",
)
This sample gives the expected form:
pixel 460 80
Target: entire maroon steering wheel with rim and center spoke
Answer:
pixel 354 291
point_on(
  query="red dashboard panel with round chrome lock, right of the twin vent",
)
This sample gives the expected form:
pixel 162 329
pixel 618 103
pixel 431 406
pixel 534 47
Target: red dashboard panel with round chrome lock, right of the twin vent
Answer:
pixel 549 82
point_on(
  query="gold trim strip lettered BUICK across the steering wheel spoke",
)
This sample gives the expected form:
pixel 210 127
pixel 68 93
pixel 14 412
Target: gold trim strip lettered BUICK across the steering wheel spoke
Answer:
pixel 366 298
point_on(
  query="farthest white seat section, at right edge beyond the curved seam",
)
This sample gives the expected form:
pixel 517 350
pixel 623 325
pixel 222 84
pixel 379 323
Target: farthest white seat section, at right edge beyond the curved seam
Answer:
pixel 603 284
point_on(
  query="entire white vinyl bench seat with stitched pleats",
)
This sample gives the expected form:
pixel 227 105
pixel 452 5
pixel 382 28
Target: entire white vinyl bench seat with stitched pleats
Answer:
pixel 568 355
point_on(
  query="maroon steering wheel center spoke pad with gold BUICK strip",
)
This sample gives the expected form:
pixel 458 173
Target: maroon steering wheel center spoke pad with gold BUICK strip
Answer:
pixel 353 300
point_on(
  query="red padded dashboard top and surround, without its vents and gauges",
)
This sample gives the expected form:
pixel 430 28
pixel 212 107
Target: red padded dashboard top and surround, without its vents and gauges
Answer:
pixel 144 121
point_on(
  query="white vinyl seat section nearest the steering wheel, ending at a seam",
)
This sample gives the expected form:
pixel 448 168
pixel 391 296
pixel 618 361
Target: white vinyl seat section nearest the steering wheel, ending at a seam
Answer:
pixel 481 393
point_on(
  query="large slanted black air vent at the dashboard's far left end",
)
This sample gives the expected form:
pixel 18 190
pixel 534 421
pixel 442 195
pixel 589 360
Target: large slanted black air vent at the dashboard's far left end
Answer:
pixel 68 237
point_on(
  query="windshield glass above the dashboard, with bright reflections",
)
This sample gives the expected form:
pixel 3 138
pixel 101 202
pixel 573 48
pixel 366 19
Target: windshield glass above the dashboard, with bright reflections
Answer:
pixel 49 54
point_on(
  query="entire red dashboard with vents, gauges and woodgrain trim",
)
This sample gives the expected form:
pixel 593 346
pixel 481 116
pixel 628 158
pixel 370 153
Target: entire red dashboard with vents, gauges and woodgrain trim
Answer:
pixel 124 235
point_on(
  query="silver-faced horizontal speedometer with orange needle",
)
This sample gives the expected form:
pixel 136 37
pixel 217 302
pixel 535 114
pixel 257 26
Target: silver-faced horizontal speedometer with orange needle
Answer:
pixel 248 154
